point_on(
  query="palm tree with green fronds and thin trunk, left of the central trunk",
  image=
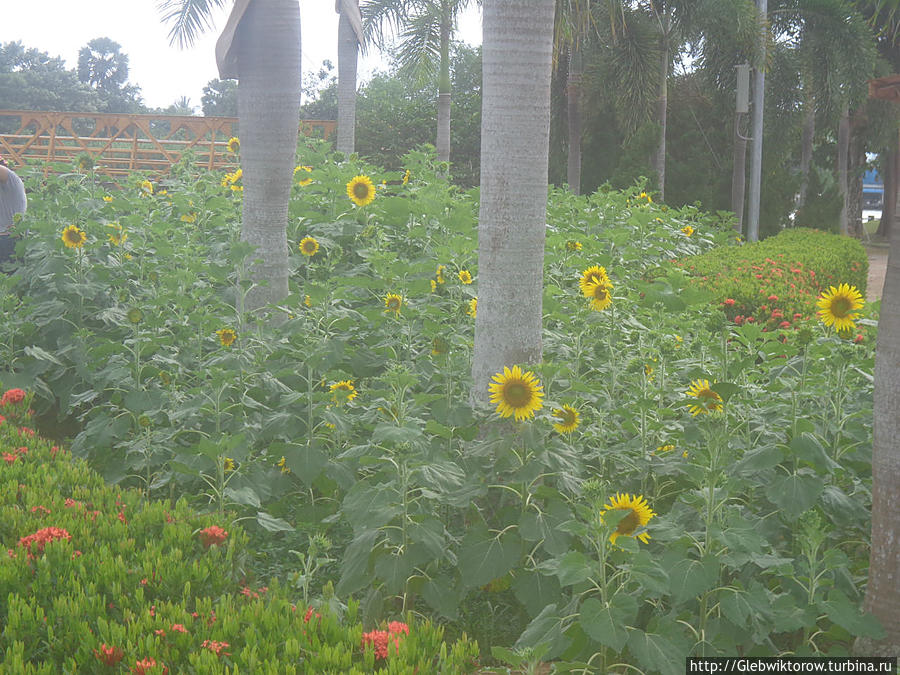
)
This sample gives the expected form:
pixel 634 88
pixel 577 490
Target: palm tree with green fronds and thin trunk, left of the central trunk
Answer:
pixel 426 28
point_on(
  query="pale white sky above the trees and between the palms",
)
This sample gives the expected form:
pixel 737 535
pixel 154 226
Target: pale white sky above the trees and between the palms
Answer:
pixel 165 73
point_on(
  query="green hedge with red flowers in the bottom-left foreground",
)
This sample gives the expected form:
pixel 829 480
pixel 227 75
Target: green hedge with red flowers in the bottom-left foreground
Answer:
pixel 95 579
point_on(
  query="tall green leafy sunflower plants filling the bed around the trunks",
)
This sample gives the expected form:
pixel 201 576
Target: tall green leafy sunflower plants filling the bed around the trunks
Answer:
pixel 405 495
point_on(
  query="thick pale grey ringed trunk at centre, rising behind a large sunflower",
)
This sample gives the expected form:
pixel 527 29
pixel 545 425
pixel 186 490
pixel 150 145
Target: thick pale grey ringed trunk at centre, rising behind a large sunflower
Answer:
pixel 515 130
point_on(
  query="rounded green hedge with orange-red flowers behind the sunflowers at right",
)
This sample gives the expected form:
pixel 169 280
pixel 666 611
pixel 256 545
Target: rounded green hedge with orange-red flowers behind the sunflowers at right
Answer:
pixel 777 281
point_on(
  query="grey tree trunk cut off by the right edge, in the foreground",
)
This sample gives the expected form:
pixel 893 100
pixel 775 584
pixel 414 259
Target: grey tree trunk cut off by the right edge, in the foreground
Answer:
pixel 883 590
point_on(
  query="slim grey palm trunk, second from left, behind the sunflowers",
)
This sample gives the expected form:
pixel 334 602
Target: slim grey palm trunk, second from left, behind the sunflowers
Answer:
pixel 350 38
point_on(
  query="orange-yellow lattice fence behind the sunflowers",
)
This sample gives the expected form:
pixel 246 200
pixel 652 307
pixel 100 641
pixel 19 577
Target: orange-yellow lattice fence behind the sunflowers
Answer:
pixel 119 144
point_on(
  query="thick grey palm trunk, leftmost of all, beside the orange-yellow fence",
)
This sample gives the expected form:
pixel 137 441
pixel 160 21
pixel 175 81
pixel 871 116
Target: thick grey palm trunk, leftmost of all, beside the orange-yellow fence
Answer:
pixel 269 110
